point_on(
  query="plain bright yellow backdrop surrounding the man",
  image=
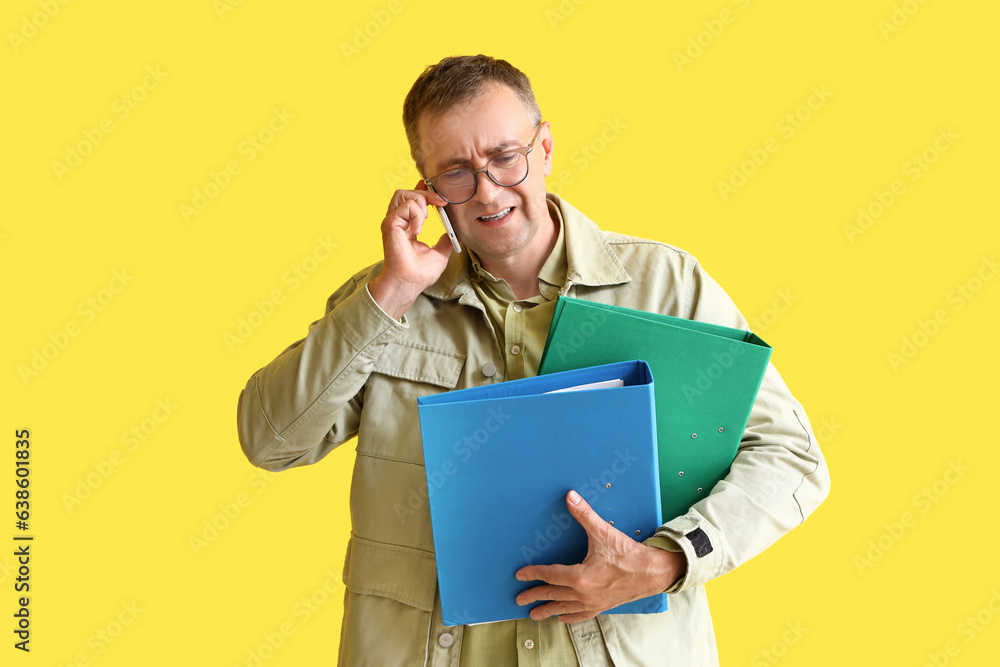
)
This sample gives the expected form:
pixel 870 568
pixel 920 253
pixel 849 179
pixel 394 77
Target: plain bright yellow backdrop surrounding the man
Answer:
pixel 116 577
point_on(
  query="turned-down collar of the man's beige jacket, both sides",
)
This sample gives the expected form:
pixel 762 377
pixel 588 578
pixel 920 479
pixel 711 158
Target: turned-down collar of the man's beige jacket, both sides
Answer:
pixel 590 259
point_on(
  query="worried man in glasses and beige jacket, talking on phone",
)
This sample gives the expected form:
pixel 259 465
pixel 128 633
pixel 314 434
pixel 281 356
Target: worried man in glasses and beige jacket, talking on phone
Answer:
pixel 427 320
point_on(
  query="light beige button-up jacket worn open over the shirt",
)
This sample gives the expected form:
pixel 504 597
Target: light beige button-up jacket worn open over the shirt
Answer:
pixel 359 372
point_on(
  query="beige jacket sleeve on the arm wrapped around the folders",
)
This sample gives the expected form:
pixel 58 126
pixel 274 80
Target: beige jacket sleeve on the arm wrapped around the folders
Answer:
pixel 777 479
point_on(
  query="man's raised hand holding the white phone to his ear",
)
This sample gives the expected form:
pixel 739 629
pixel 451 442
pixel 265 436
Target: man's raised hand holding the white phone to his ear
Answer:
pixel 410 265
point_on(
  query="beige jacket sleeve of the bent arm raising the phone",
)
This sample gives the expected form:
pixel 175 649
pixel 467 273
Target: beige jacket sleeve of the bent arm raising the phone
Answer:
pixel 307 401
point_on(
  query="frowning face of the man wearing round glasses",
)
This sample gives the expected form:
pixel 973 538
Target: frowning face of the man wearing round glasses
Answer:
pixel 468 136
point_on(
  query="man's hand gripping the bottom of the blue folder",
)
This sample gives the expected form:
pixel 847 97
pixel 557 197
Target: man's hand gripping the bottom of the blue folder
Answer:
pixel 617 570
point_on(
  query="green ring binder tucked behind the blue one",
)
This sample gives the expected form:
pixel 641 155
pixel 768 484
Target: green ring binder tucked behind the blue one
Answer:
pixel 706 378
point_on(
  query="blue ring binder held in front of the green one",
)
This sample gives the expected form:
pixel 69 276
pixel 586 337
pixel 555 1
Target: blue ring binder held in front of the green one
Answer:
pixel 499 461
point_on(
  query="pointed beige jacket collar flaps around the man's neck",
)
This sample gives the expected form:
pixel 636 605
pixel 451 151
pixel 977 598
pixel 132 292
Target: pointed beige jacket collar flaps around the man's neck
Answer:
pixel 581 256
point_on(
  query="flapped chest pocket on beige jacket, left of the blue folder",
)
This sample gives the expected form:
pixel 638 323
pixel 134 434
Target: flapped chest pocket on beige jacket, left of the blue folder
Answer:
pixel 390 427
